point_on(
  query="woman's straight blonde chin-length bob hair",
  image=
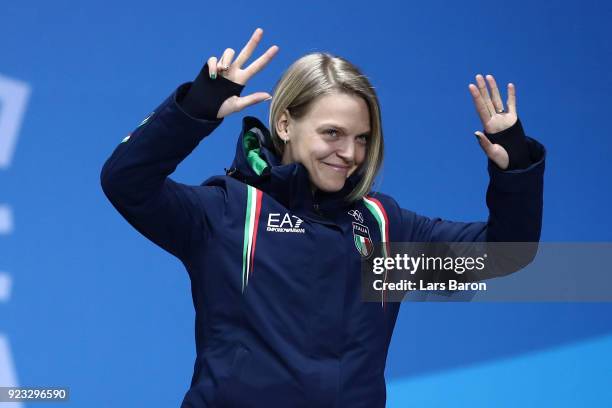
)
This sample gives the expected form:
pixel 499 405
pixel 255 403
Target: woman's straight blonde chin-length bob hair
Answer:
pixel 321 73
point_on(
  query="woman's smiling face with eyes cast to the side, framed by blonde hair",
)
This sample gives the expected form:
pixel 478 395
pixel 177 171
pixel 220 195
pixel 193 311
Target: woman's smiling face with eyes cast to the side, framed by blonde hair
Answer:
pixel 330 140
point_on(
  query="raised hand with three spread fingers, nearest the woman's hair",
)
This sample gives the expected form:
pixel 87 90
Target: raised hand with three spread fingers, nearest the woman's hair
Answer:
pixel 234 72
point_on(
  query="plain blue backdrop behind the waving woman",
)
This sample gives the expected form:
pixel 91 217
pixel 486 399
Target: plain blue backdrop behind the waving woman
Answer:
pixel 97 307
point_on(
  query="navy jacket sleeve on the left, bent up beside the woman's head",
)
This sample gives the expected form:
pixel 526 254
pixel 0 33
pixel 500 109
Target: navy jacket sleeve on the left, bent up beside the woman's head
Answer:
pixel 135 178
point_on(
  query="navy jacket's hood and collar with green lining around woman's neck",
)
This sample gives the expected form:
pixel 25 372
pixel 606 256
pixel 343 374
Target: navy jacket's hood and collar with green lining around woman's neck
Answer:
pixel 257 164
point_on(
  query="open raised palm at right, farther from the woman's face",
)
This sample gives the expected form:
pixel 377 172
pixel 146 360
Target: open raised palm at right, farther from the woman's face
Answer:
pixel 493 116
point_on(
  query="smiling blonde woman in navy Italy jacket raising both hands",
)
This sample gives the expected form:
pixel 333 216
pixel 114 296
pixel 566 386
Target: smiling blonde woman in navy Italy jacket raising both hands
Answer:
pixel 271 247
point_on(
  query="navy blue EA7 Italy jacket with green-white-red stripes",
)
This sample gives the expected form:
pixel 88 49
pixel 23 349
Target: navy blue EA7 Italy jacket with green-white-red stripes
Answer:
pixel 275 270
